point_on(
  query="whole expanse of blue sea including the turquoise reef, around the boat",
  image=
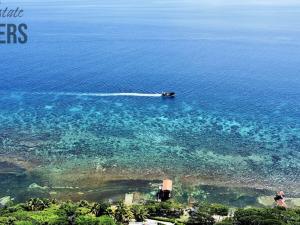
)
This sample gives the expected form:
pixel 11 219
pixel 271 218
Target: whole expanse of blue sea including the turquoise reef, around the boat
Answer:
pixel 234 66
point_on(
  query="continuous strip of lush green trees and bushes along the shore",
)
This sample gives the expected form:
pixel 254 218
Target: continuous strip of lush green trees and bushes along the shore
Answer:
pixel 51 212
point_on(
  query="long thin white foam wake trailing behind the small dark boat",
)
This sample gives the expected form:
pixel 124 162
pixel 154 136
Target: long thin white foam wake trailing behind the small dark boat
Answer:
pixel 98 94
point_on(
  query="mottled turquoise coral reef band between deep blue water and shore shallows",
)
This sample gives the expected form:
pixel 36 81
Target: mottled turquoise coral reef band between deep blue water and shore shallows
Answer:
pixel 84 141
